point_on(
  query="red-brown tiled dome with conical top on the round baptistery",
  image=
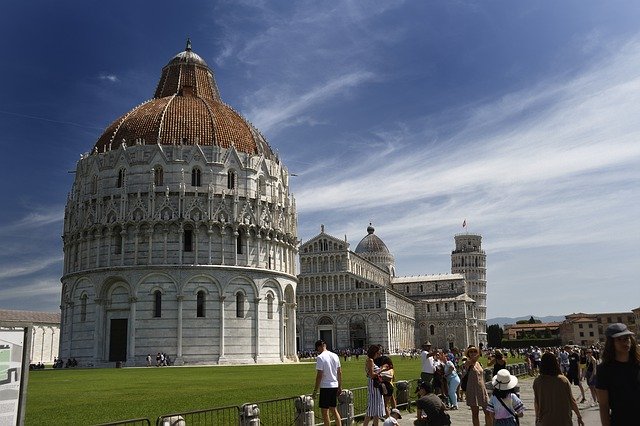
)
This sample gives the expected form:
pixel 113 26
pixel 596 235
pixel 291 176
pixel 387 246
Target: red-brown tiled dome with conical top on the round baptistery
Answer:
pixel 187 109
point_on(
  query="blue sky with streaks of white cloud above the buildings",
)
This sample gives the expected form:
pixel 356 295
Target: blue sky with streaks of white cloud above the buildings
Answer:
pixel 521 117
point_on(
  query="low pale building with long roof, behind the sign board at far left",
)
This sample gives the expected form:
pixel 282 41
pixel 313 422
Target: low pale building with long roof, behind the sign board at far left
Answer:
pixel 45 331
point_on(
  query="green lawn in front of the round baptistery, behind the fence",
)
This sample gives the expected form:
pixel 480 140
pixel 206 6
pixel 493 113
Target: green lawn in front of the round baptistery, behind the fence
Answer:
pixel 92 396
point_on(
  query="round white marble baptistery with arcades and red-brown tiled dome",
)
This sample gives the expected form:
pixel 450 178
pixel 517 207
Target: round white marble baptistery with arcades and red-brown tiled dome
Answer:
pixel 180 235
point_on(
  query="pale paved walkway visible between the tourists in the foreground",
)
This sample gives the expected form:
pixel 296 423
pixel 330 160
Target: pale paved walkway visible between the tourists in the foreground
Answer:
pixel 462 416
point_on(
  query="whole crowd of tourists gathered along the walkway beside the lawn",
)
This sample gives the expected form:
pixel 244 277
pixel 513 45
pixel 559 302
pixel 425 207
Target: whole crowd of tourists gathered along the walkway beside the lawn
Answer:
pixel 607 376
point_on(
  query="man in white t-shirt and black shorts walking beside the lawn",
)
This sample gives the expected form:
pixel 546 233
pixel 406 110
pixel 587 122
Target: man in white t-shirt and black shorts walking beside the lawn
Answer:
pixel 329 380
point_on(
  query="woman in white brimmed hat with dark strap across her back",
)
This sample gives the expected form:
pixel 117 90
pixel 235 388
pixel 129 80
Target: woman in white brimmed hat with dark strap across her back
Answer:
pixel 504 405
